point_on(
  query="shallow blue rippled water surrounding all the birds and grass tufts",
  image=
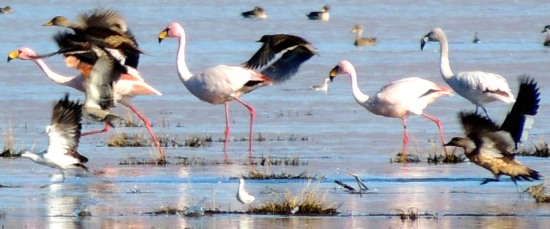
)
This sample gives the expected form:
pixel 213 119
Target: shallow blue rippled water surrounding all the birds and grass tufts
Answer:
pixel 340 136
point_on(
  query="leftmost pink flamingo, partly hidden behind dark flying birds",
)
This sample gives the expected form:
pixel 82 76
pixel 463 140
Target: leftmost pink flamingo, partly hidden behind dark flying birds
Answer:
pixel 127 87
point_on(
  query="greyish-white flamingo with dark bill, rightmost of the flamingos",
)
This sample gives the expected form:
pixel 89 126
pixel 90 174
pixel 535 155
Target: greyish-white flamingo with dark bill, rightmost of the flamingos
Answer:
pixel 478 87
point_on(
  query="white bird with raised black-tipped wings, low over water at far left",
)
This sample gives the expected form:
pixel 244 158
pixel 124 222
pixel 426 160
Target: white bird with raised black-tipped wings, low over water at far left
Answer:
pixel 64 135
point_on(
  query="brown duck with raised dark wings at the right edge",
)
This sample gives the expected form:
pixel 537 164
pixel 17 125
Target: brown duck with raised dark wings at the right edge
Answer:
pixel 493 147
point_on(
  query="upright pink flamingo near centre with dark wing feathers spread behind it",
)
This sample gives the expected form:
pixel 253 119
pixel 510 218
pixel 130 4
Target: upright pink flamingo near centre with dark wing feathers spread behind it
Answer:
pixel 221 84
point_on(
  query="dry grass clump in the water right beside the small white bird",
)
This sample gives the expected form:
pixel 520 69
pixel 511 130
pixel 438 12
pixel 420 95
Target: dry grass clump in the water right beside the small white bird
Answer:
pixel 307 202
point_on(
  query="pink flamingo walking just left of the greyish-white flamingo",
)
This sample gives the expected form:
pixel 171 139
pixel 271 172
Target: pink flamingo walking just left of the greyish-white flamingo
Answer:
pixel 398 99
